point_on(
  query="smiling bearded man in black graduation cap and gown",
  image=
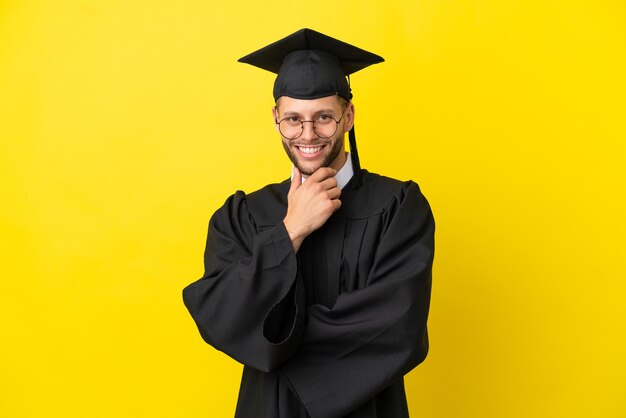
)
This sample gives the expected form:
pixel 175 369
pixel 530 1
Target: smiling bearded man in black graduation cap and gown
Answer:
pixel 319 285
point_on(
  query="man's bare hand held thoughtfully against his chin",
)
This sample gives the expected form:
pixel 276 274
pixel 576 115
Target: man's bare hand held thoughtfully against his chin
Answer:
pixel 310 204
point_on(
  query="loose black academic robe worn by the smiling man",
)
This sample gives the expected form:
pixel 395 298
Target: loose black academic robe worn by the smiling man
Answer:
pixel 328 332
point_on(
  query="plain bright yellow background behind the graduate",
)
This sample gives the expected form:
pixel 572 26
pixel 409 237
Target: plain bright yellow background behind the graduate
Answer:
pixel 125 124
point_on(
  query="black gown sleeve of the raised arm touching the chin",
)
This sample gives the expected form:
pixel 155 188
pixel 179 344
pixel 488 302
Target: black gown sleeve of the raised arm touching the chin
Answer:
pixel 248 302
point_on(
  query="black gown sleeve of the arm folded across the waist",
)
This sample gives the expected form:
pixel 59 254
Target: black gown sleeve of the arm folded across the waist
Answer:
pixel 372 336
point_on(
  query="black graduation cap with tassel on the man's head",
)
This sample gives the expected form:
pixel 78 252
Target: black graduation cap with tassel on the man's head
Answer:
pixel 311 65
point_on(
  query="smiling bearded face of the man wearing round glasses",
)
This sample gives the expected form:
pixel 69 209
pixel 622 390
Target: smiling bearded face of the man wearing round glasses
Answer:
pixel 309 152
